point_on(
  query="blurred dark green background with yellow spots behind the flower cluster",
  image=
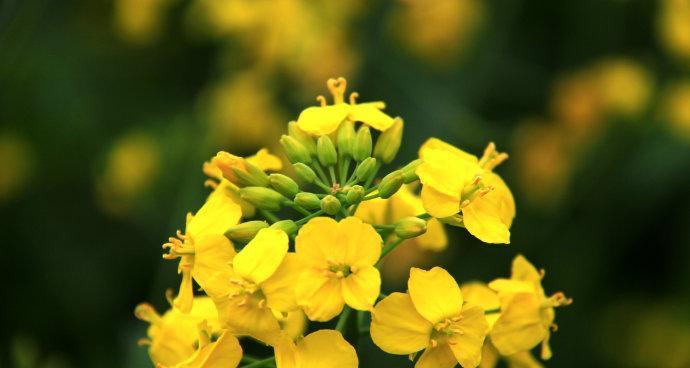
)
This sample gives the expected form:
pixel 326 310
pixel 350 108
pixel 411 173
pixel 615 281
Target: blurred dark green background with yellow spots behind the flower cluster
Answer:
pixel 108 109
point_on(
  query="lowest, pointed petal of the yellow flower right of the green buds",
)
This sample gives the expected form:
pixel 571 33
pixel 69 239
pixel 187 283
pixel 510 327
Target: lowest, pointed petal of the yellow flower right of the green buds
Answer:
pixel 482 219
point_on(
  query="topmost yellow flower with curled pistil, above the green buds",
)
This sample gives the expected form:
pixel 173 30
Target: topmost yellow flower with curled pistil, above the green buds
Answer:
pixel 325 119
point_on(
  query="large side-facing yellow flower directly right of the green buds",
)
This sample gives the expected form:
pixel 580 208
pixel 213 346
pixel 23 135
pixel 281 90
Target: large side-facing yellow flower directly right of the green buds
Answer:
pixel 455 181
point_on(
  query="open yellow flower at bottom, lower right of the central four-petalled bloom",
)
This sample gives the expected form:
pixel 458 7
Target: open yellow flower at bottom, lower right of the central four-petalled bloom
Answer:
pixel 431 316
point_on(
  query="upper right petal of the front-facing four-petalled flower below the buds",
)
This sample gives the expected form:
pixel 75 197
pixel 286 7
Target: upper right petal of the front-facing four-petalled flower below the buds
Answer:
pixel 361 242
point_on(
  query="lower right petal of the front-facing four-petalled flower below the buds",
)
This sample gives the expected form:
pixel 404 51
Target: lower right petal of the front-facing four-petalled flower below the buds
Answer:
pixel 361 288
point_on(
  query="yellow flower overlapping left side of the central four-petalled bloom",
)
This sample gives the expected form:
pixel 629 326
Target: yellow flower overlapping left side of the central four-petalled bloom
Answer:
pixel 254 288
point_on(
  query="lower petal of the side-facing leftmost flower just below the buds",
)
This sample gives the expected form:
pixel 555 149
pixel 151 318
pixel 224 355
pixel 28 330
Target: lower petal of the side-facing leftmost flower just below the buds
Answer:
pixel 213 255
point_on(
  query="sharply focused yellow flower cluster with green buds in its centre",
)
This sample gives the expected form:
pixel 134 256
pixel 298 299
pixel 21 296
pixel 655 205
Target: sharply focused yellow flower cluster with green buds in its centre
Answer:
pixel 265 277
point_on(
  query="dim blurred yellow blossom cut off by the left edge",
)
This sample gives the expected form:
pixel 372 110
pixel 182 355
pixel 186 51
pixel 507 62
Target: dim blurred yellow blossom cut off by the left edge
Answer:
pixel 16 157
